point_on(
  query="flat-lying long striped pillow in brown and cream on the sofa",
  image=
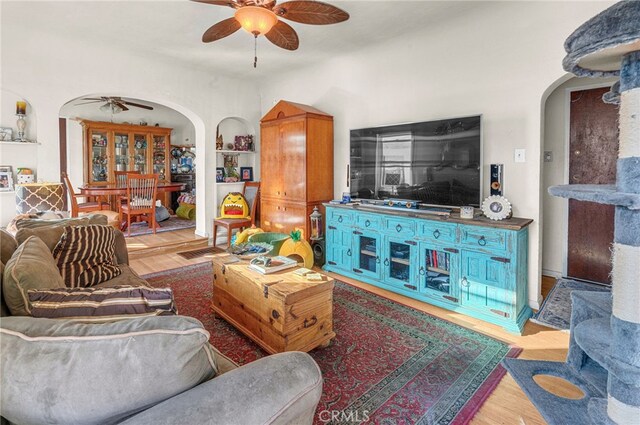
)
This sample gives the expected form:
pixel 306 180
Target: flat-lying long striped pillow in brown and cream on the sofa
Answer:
pixel 101 304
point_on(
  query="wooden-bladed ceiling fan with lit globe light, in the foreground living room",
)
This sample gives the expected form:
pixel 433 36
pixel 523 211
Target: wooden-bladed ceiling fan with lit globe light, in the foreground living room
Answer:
pixel 262 17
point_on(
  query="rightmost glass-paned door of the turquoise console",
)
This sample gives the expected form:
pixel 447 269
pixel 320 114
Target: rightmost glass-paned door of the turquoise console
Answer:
pixel 437 265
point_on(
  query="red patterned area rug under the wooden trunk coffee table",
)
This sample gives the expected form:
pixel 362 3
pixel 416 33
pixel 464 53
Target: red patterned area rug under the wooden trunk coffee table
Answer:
pixel 389 364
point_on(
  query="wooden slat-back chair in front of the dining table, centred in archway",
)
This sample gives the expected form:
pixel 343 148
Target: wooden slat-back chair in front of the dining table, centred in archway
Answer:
pixel 140 201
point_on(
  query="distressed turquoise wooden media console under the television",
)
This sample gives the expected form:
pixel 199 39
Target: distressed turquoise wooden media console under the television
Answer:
pixel 476 267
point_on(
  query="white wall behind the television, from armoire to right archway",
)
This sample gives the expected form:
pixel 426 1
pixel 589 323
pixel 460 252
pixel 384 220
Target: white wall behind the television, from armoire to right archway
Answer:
pixel 497 61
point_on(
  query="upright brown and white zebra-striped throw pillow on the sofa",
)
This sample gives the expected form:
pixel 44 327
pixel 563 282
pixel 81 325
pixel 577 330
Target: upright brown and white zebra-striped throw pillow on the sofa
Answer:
pixel 85 255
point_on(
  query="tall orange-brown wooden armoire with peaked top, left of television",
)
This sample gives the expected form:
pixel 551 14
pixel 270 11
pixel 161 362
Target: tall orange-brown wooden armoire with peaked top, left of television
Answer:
pixel 296 166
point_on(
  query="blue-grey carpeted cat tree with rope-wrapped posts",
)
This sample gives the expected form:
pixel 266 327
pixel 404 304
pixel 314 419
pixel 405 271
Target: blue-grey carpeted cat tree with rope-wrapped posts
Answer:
pixel 604 349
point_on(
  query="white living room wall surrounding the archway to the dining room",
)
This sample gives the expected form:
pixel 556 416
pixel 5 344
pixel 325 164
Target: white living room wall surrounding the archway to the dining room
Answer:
pixel 54 69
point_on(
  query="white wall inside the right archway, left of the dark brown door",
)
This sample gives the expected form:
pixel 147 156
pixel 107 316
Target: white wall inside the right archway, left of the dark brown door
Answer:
pixel 556 131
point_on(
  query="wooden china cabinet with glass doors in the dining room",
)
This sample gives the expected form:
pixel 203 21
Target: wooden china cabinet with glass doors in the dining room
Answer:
pixel 110 147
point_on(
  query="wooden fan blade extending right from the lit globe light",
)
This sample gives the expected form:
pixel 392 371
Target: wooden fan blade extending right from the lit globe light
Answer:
pixel 310 12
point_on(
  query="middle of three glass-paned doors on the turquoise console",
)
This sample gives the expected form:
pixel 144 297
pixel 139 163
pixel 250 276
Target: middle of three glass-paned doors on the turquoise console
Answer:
pixel 398 263
